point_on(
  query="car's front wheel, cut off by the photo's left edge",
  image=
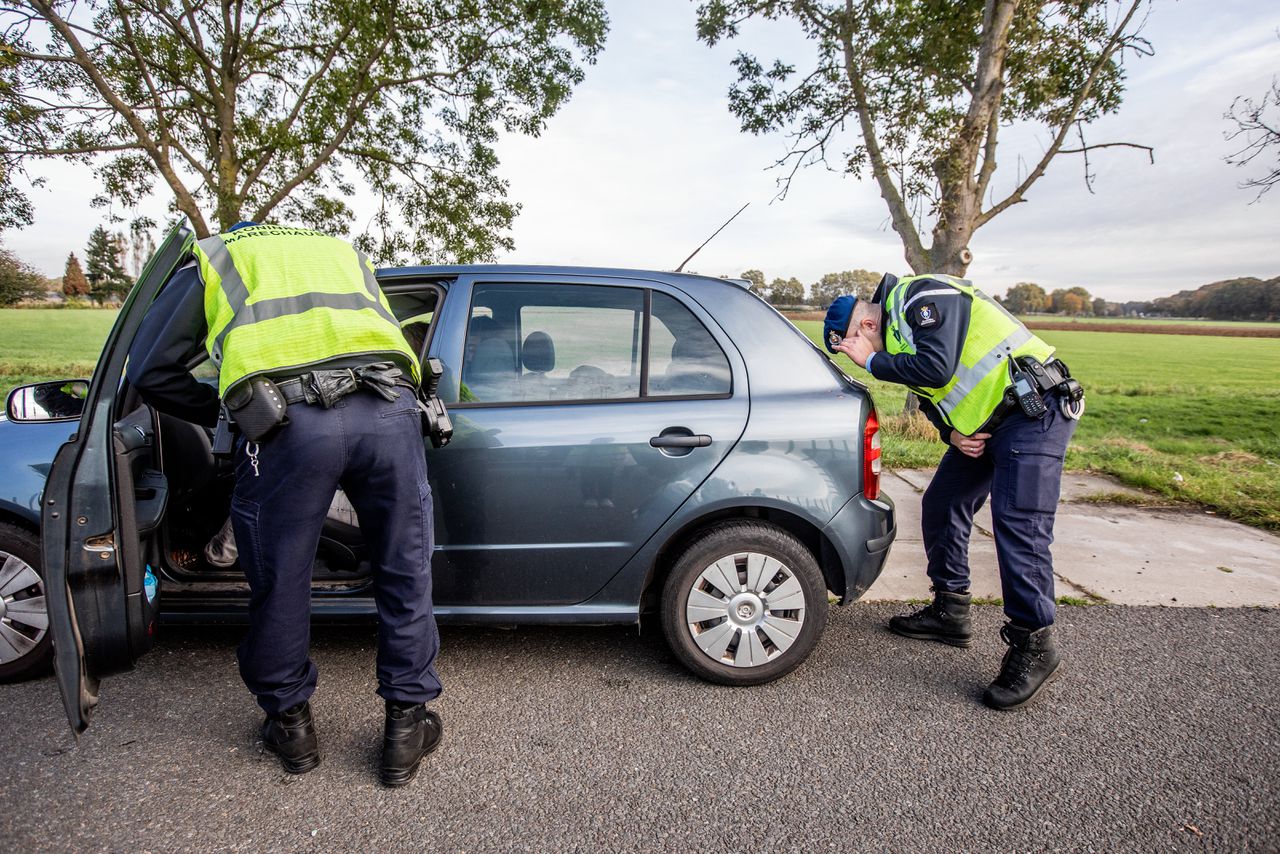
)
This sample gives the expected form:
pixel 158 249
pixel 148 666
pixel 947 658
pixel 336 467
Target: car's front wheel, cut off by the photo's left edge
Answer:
pixel 26 645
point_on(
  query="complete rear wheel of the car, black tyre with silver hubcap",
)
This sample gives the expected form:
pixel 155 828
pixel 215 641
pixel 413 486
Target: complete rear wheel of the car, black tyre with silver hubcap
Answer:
pixel 746 615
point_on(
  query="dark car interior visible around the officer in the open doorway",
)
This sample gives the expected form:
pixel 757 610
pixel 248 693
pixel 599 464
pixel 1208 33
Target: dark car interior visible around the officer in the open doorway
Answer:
pixel 182 492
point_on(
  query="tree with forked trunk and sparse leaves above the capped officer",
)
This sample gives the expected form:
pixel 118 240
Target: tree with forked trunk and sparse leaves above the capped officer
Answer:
pixel 929 88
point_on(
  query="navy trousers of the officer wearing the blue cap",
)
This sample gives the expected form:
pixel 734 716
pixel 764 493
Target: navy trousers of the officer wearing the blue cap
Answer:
pixel 1022 471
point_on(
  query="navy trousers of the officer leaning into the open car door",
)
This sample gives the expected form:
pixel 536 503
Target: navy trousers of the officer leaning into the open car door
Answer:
pixel 373 449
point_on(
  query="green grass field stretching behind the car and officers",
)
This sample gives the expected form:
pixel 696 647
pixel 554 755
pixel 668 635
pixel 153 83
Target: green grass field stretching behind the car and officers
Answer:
pixel 1160 407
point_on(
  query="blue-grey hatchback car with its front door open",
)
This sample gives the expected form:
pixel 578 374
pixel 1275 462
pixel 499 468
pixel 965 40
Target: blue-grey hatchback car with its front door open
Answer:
pixel 627 444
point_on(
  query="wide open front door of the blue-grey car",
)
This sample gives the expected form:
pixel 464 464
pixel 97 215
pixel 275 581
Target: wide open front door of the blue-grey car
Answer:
pixel 103 504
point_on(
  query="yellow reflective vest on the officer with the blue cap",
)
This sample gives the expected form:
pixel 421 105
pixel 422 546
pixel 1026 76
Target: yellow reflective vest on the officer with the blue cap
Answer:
pixel 995 337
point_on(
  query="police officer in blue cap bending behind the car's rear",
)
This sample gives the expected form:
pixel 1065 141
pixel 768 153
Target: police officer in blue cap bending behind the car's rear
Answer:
pixel 1008 409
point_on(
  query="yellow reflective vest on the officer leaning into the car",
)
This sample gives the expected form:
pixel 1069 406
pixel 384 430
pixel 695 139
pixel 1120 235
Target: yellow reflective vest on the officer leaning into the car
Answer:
pixel 294 280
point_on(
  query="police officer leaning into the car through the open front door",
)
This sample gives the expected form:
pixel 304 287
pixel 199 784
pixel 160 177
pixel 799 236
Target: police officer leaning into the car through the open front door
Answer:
pixel 316 372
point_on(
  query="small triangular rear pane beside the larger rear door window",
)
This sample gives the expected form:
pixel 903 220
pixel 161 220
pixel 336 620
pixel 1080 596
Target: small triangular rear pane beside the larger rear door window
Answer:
pixel 684 359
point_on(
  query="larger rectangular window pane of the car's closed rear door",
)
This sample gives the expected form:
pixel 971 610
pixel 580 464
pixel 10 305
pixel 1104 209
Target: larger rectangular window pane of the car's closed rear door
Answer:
pixel 546 344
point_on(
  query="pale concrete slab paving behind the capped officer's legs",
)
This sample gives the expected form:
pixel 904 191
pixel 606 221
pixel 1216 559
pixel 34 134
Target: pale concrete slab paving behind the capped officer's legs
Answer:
pixel 1144 554
